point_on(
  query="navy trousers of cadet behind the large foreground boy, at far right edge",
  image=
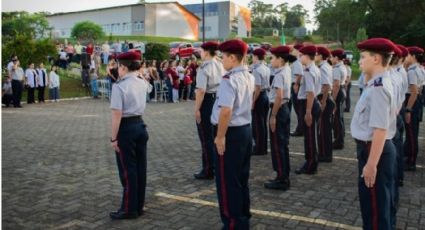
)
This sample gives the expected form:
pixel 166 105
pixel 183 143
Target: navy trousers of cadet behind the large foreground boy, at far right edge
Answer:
pixel 412 132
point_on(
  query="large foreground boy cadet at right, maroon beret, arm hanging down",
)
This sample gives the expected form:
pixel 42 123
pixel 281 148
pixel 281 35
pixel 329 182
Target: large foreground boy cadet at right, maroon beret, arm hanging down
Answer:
pixel 373 126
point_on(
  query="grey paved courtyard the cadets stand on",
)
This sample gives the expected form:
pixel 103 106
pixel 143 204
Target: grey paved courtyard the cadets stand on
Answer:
pixel 59 172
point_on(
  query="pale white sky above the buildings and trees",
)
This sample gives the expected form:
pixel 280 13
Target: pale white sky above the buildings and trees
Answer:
pixel 55 6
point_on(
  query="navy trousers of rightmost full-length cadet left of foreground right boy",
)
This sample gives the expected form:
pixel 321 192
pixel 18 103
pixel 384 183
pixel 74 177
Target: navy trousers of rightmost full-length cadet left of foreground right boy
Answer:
pixel 338 124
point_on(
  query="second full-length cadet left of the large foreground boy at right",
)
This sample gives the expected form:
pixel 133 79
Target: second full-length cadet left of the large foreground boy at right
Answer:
pixel 327 105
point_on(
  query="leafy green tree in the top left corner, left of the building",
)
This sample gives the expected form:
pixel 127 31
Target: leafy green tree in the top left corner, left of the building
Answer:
pixel 23 23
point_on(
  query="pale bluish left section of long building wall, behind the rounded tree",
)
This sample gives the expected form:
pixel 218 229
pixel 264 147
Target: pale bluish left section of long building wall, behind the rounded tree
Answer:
pixel 116 21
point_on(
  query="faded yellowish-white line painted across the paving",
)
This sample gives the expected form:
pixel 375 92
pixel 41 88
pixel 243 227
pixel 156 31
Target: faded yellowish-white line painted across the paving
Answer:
pixel 262 212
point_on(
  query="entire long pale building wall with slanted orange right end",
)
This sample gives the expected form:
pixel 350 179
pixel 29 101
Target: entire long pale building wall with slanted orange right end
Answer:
pixel 165 19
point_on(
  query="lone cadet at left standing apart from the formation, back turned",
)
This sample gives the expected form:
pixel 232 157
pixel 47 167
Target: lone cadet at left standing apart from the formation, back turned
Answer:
pixel 129 135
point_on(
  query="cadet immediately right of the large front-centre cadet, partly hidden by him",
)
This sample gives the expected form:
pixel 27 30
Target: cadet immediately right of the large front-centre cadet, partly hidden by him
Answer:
pixel 260 105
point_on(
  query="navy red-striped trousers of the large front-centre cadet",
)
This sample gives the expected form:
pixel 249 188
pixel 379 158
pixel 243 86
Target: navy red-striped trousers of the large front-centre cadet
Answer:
pixel 232 176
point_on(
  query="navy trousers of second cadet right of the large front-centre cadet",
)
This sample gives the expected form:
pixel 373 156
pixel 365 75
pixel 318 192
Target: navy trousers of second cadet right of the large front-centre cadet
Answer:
pixel 279 141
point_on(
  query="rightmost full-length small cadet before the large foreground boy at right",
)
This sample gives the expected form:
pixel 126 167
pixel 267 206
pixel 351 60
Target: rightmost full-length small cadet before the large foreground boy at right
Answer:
pixel 339 74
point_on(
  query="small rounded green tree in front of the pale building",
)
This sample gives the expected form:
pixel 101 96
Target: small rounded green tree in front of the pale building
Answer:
pixel 87 31
